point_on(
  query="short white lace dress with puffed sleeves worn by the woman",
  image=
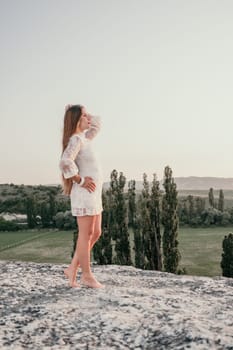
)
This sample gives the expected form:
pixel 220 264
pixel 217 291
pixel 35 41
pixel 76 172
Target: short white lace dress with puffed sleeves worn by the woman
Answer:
pixel 79 158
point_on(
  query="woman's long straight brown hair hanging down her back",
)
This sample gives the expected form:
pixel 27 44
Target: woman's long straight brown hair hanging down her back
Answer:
pixel 71 118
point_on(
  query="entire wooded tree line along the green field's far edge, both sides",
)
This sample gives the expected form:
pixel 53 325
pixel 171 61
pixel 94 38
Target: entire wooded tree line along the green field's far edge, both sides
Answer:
pixel 45 207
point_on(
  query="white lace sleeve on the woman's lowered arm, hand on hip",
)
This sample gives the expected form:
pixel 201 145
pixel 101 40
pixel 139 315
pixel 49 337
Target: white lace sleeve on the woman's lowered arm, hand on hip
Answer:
pixel 67 163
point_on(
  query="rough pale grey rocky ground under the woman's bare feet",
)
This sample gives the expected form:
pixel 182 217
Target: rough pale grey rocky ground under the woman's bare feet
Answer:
pixel 136 310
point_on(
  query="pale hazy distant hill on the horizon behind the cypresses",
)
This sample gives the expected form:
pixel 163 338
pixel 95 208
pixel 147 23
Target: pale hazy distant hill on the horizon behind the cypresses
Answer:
pixel 195 183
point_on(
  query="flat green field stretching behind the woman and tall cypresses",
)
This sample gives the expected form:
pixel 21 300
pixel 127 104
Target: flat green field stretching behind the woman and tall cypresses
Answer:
pixel 200 249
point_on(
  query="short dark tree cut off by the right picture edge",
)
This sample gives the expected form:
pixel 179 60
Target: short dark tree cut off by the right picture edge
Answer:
pixel 227 256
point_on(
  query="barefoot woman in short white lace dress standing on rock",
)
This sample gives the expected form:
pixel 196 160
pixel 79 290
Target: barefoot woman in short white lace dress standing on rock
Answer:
pixel 82 180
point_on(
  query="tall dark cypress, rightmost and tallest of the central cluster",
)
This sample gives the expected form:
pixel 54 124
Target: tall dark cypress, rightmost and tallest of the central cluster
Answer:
pixel 171 253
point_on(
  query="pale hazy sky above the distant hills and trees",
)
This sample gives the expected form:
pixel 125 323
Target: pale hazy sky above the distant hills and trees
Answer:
pixel 158 72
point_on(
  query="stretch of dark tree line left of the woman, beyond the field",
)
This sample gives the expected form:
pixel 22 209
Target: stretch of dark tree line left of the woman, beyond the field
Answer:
pixel 43 206
